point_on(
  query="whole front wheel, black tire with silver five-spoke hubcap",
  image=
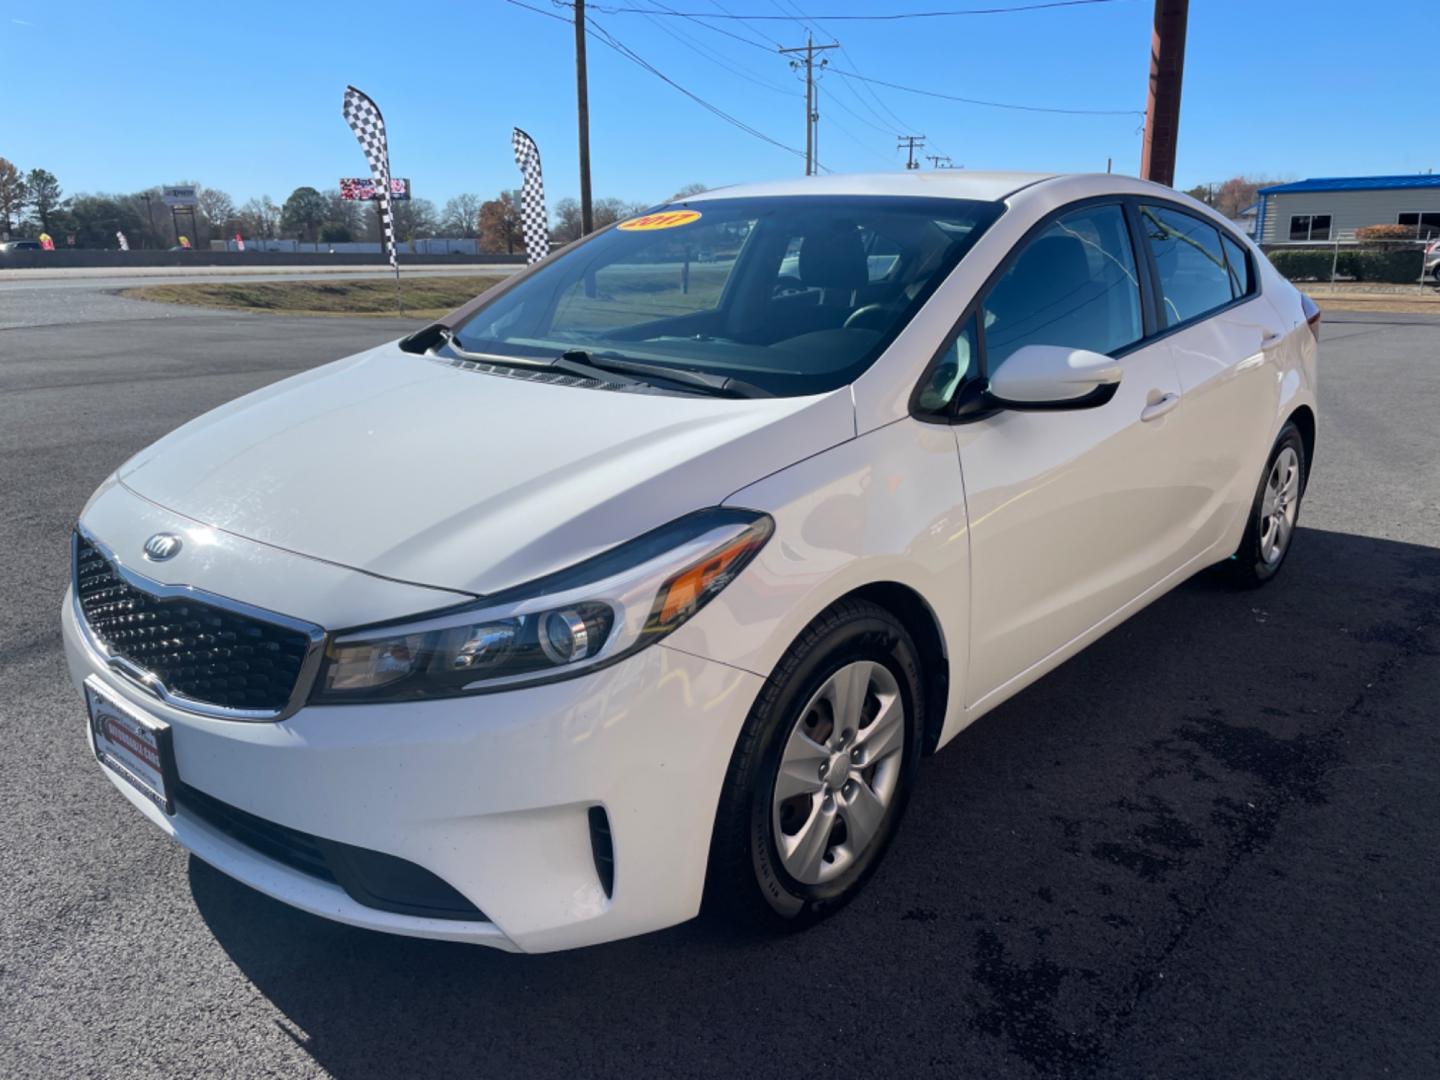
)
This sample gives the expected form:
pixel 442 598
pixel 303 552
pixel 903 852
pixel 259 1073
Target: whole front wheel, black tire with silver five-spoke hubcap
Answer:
pixel 822 774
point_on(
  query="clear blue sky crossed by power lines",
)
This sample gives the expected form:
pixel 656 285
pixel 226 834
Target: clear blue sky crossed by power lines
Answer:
pixel 247 97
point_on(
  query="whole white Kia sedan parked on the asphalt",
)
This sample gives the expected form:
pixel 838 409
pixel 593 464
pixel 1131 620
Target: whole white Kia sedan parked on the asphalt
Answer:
pixel 647 580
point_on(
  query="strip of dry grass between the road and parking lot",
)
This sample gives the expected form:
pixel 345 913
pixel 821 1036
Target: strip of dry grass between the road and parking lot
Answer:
pixel 424 297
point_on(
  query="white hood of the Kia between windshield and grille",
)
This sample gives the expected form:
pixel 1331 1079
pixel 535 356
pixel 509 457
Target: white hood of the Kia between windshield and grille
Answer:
pixel 415 470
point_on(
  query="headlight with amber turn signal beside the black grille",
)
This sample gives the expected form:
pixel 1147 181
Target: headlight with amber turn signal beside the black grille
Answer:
pixel 557 627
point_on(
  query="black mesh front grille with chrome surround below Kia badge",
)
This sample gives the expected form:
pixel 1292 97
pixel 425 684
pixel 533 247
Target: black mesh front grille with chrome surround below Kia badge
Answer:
pixel 202 652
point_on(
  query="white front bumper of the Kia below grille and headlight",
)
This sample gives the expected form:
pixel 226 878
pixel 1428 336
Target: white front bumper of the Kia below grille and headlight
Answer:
pixel 492 794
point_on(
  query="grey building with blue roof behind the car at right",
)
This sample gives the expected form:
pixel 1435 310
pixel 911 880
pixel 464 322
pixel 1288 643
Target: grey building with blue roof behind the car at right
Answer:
pixel 1331 210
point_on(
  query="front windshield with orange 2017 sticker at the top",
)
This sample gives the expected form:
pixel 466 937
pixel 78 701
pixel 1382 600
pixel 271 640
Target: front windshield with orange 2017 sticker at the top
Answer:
pixel 794 294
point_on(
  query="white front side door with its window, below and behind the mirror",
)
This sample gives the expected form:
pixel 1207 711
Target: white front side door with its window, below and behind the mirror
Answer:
pixel 1072 513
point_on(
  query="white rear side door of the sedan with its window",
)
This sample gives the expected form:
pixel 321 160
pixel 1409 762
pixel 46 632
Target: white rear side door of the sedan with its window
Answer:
pixel 1226 342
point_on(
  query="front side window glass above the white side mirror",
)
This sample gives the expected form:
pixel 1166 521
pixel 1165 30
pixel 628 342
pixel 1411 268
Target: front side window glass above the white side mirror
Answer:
pixel 1074 286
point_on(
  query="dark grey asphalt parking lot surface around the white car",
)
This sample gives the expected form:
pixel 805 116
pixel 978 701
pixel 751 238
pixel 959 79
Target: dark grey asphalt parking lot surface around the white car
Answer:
pixel 1207 847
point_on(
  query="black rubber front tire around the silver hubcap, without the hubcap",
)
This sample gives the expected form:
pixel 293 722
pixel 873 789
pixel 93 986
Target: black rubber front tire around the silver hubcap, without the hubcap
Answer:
pixel 747 883
